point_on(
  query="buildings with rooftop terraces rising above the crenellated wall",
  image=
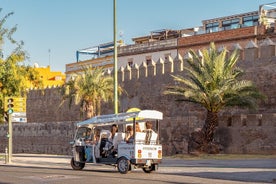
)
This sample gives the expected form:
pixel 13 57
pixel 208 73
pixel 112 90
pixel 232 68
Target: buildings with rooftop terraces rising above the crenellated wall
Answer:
pixel 161 44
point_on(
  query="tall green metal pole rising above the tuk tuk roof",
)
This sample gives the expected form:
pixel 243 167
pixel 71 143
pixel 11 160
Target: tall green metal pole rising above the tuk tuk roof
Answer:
pixel 115 60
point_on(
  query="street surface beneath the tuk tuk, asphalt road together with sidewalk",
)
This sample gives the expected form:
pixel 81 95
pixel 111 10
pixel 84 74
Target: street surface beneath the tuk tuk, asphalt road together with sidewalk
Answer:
pixel 56 169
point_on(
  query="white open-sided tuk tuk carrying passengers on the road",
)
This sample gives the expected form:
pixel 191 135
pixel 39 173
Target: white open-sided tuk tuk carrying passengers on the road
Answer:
pixel 144 151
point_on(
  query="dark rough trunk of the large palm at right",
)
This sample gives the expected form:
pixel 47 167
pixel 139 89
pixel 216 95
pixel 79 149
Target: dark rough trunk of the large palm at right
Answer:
pixel 210 125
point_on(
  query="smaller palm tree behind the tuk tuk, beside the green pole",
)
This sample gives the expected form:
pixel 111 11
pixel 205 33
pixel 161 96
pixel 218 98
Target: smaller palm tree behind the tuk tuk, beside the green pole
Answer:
pixel 90 88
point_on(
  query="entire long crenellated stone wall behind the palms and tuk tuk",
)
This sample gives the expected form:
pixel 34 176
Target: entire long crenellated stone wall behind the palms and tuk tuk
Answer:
pixel 240 130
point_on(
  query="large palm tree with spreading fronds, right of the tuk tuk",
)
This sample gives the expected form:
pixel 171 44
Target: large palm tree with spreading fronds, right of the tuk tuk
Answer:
pixel 213 81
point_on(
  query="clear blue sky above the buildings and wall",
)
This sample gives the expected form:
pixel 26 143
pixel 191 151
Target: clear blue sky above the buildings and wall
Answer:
pixel 64 26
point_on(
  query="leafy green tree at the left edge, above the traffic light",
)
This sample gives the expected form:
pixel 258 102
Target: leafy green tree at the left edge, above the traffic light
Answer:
pixel 13 74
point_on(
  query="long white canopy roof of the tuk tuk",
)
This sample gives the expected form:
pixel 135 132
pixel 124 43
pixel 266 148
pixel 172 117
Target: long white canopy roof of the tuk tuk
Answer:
pixel 122 118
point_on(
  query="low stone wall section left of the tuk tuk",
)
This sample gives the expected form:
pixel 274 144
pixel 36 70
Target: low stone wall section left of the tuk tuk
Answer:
pixel 43 138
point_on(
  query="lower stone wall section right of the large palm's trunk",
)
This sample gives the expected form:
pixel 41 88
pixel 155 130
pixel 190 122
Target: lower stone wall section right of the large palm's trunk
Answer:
pixel 251 133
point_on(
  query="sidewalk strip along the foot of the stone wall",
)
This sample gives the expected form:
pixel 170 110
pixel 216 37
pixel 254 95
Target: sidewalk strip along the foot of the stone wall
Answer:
pixel 45 160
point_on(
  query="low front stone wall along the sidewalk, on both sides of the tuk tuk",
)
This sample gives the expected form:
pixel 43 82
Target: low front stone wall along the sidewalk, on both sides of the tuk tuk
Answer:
pixel 243 134
